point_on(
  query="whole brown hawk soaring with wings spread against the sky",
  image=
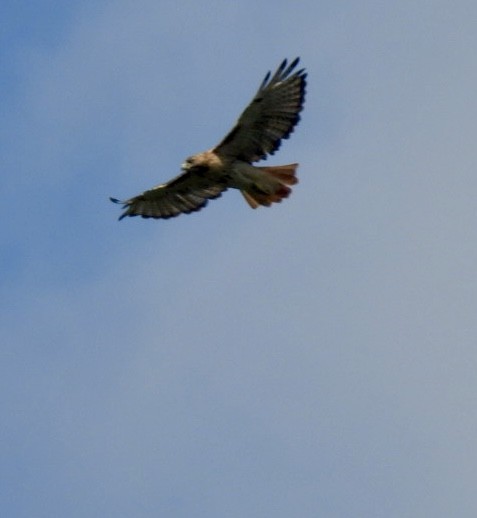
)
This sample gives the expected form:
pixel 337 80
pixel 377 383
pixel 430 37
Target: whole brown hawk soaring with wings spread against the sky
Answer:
pixel 267 120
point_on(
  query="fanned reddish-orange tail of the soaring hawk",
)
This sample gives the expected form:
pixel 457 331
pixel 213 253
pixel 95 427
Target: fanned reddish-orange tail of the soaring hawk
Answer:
pixel 272 186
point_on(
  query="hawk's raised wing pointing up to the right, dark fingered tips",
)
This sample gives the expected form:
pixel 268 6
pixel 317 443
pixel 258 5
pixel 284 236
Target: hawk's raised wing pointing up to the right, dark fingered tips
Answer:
pixel 269 118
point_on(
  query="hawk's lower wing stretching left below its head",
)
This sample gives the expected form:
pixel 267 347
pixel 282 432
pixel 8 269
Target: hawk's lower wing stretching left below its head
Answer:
pixel 188 192
